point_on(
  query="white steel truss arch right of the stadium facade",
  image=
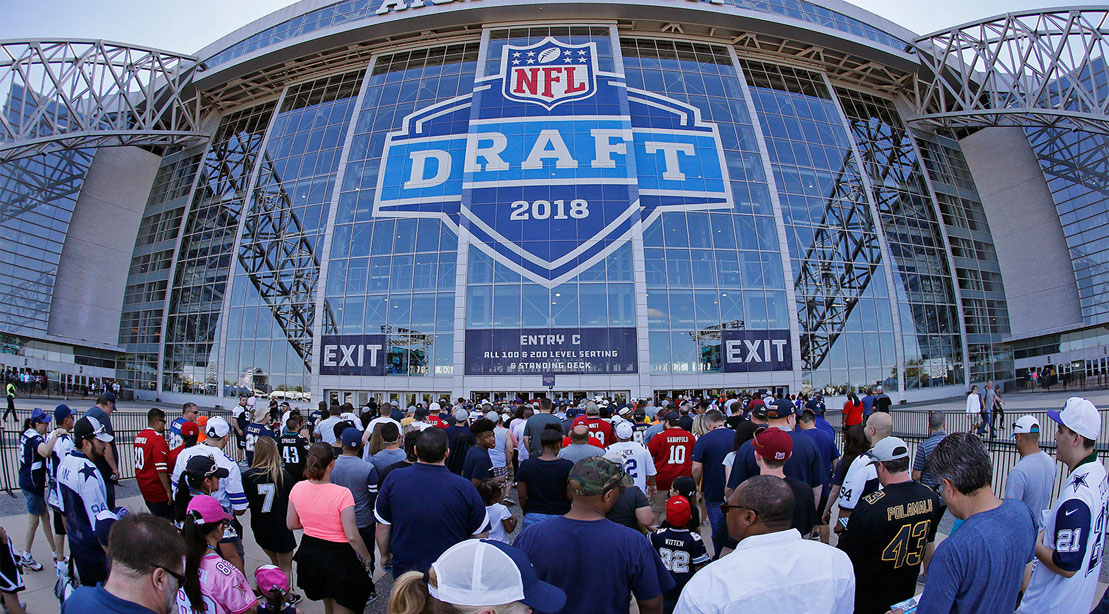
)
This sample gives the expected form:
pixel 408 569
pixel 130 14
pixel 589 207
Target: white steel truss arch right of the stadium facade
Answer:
pixel 1029 69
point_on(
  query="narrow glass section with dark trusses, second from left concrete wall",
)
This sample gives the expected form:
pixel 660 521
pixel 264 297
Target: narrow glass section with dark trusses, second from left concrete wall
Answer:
pixel 207 251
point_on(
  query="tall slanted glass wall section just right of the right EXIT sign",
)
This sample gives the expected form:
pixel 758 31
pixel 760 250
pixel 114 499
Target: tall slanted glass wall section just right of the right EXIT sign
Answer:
pixel 842 296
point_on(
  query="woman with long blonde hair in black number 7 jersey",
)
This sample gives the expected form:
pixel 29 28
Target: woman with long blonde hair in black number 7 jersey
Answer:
pixel 268 486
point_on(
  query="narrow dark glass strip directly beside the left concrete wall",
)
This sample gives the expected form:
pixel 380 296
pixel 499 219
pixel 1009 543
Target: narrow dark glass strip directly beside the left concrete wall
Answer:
pixel 145 295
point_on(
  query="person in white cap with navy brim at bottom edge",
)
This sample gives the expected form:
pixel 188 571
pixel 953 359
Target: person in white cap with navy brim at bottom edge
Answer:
pixel 476 577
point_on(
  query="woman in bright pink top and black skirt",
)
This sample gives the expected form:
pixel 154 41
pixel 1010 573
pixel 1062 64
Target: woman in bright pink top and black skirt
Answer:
pixel 333 562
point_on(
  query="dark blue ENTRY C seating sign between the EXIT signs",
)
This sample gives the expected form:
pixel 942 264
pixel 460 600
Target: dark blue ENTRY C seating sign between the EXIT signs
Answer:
pixel 546 352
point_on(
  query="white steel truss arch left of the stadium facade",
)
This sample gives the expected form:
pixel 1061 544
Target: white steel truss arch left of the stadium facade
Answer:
pixel 90 94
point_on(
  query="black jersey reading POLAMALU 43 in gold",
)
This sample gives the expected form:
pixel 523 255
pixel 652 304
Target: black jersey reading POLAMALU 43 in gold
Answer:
pixel 886 540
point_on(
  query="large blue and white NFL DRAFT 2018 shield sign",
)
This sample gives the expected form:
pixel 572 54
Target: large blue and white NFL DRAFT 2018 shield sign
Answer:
pixel 552 165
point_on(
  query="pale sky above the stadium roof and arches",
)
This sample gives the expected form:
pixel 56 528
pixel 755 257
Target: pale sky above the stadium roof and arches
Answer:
pixel 168 25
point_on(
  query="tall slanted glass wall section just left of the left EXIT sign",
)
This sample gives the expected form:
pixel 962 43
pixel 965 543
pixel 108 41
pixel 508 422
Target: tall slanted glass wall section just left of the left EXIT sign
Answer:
pixel 273 303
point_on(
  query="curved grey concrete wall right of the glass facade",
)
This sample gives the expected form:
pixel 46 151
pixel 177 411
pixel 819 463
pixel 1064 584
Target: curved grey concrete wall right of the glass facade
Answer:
pixel 1040 280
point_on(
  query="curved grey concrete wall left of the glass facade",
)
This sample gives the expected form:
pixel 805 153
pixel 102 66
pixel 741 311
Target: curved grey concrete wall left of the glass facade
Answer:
pixel 94 270
